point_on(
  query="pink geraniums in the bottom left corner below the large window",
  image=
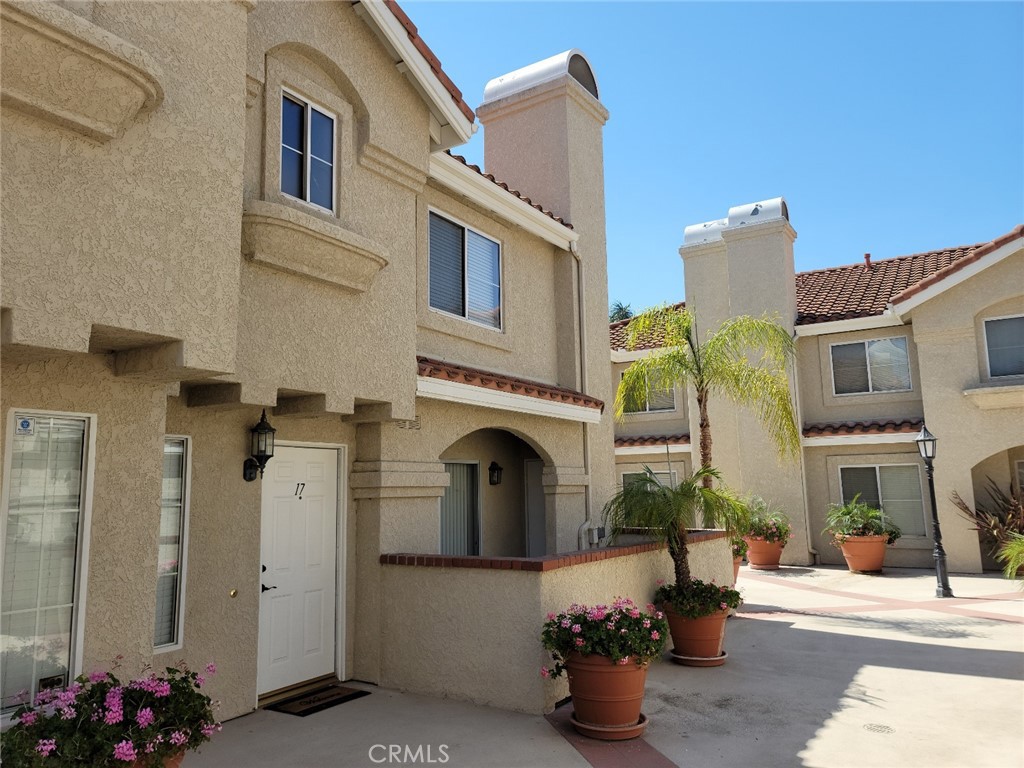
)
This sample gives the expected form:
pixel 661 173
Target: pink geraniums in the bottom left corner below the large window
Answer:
pixel 100 721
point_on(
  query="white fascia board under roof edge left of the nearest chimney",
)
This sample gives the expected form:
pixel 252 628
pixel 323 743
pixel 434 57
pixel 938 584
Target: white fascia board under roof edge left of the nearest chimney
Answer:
pixel 463 181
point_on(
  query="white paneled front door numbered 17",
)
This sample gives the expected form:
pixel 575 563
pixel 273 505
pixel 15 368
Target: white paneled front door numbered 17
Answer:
pixel 297 616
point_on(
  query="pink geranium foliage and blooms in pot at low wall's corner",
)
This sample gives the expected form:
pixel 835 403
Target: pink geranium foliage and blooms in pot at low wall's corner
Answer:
pixel 621 631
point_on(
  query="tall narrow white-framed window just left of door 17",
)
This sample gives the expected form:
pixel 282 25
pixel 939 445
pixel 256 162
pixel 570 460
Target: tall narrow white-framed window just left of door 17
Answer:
pixel 173 544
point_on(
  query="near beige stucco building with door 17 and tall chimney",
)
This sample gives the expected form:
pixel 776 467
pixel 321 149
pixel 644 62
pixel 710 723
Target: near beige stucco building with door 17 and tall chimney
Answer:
pixel 224 208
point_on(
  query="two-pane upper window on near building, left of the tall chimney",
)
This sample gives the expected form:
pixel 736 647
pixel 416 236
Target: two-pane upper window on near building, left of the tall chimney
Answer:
pixel 465 273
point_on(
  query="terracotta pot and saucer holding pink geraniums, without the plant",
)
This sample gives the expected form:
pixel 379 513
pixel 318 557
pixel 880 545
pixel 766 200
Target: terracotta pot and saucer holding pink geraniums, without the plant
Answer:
pixel 607 697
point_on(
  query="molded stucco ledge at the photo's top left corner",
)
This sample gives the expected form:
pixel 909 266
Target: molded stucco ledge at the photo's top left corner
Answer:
pixel 66 70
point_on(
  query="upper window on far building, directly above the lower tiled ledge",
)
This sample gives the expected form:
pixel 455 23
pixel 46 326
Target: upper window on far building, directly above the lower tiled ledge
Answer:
pixel 875 366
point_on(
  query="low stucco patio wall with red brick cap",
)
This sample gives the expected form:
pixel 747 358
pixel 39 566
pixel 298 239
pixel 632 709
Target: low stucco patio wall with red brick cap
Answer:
pixel 470 628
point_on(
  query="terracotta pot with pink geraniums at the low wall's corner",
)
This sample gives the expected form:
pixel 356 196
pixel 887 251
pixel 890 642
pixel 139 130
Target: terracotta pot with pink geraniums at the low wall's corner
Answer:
pixel 607 652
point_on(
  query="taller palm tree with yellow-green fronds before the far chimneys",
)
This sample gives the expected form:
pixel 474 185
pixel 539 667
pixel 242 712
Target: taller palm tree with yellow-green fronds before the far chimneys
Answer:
pixel 745 361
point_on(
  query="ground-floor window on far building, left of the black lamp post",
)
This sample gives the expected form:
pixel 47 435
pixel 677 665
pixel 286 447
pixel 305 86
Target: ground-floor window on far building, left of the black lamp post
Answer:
pixel 895 489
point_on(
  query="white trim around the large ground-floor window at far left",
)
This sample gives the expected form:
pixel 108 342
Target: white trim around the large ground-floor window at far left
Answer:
pixel 82 561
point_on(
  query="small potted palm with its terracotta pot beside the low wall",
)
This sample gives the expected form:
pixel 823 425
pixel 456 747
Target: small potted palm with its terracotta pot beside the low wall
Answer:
pixel 697 612
